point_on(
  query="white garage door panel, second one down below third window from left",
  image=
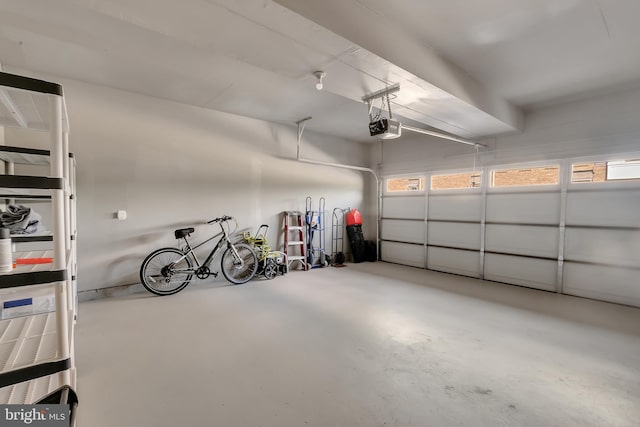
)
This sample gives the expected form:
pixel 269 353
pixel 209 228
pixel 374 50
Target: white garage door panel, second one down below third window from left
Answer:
pixel 522 240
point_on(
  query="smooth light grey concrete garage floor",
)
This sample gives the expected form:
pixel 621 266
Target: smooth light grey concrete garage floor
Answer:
pixel 371 344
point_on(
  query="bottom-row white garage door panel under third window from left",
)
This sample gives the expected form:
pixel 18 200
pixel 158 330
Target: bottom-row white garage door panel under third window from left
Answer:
pixel 530 272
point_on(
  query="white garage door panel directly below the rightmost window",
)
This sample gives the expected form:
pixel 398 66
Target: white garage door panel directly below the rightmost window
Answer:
pixel 605 208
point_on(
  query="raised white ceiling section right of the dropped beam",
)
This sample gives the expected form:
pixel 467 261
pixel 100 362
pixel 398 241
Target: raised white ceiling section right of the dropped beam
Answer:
pixel 529 51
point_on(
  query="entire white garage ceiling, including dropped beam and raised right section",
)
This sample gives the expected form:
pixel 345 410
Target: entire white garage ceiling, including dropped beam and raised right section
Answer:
pixel 467 68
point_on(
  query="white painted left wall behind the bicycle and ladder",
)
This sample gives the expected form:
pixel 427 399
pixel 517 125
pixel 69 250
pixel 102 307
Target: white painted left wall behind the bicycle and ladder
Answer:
pixel 170 165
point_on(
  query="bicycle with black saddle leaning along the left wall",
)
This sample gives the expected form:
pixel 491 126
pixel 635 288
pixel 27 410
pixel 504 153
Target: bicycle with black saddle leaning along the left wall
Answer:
pixel 167 271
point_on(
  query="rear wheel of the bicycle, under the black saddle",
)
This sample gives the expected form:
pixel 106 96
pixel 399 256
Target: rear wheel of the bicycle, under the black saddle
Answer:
pixel 166 271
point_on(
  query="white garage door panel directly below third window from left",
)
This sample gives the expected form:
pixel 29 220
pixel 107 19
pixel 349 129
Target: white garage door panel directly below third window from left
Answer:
pixel 524 208
